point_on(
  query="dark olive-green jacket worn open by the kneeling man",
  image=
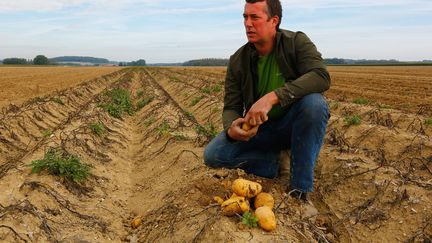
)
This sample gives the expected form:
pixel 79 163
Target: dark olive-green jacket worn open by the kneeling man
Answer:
pixel 299 61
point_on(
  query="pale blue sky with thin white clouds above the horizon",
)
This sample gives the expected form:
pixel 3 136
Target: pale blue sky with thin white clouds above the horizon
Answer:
pixel 177 31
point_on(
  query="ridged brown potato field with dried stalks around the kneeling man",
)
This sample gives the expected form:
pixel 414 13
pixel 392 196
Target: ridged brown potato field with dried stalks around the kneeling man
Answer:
pixel 373 180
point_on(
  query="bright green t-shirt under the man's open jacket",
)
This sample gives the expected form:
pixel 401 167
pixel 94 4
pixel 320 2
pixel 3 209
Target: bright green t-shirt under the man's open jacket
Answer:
pixel 269 79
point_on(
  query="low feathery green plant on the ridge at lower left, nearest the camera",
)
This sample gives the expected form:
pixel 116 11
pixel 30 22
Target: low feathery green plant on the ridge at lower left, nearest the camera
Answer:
pixel 63 165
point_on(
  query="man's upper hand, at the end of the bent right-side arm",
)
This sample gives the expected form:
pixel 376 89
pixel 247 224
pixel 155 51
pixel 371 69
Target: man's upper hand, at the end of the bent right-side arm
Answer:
pixel 257 114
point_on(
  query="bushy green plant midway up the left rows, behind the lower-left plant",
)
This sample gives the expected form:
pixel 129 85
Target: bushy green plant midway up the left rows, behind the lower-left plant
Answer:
pixel 119 103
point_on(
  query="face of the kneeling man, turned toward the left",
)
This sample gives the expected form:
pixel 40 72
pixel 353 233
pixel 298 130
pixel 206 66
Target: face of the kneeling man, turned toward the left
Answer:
pixel 259 28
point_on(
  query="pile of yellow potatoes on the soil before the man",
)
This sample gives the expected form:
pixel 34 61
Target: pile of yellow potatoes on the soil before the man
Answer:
pixel 245 191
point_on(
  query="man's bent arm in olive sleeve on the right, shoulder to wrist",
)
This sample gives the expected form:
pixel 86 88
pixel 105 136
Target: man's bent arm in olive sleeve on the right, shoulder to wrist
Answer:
pixel 314 77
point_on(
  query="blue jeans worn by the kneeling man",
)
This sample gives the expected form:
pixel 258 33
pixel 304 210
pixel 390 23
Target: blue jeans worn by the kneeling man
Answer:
pixel 301 130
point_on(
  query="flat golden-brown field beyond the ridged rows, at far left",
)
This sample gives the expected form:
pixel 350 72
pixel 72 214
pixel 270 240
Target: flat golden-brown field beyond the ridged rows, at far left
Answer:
pixel 22 83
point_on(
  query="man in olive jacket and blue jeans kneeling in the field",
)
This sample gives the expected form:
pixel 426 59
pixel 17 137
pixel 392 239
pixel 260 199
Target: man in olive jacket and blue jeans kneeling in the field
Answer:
pixel 275 81
